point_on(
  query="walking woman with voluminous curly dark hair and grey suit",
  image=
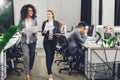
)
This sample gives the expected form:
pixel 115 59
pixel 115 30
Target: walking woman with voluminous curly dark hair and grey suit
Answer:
pixel 28 41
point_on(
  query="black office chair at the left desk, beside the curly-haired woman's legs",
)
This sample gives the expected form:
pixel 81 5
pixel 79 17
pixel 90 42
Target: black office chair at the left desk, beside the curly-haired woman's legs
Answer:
pixel 14 55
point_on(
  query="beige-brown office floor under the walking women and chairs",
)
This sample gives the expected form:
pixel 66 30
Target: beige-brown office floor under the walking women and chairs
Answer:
pixel 40 73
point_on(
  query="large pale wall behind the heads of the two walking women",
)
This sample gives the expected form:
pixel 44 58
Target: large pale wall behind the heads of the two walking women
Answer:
pixel 69 10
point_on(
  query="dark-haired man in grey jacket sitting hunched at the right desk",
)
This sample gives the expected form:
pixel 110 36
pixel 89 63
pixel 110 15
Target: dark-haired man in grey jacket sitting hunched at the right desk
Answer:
pixel 76 38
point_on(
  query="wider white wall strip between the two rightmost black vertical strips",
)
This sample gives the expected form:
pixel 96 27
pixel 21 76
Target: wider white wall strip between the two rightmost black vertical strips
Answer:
pixel 108 12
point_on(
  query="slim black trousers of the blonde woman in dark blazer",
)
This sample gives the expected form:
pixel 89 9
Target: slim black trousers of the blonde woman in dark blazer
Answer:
pixel 49 47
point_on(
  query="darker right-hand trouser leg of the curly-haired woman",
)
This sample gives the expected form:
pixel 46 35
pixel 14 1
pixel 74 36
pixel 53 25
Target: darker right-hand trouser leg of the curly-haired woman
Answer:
pixel 32 48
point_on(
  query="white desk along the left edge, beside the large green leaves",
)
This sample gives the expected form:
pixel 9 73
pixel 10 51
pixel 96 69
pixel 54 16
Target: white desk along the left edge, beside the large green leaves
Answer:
pixel 3 65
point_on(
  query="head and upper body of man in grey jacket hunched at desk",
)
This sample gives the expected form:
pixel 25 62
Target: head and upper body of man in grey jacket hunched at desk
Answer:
pixel 77 37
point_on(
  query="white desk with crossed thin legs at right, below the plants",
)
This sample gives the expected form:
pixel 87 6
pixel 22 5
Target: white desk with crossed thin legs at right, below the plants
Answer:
pixel 100 63
